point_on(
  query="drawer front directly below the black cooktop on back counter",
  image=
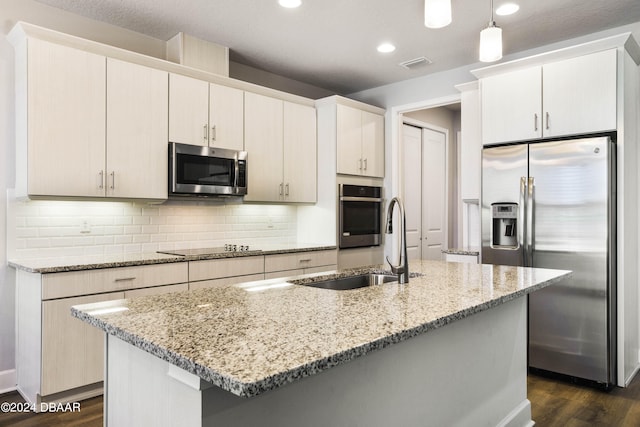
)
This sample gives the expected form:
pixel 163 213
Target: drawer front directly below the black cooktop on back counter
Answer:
pixel 227 267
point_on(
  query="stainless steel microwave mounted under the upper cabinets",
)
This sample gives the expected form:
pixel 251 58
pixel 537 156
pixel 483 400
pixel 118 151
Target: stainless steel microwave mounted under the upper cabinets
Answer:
pixel 206 171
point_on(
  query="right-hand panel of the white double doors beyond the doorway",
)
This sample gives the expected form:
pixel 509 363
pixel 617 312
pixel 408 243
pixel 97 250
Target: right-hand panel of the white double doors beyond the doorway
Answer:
pixel 434 193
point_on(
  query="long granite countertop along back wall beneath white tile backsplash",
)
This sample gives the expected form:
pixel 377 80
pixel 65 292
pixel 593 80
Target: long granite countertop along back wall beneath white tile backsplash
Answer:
pixel 91 262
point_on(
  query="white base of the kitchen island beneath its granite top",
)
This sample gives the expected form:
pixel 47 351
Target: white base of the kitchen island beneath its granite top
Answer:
pixel 470 372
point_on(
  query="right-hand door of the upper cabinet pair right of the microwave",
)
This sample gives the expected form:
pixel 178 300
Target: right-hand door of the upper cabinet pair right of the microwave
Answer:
pixel 300 153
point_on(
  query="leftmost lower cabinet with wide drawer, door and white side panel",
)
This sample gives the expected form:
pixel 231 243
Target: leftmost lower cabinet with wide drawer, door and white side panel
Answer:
pixel 59 357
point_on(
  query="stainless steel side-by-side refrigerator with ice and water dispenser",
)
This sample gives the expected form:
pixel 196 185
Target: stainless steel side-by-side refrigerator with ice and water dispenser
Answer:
pixel 552 205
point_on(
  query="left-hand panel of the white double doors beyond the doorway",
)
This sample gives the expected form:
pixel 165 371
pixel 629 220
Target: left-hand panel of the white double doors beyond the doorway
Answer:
pixel 412 143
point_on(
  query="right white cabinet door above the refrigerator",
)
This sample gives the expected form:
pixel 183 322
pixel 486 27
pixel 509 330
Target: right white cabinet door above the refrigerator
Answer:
pixel 579 94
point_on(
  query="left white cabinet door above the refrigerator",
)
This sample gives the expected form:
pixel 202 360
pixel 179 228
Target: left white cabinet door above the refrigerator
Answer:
pixel 512 106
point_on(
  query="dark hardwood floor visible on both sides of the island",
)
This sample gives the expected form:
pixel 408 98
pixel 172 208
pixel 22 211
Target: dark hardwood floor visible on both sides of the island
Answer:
pixel 553 403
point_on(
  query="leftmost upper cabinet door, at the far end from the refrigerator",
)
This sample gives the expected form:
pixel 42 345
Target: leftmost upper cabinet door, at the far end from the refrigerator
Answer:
pixel 65 125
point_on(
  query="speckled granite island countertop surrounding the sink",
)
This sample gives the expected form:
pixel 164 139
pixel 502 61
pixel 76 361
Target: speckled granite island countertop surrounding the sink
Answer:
pixel 254 337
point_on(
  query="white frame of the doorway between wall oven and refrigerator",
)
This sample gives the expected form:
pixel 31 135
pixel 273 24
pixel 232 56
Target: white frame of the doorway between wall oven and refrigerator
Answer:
pixel 394 182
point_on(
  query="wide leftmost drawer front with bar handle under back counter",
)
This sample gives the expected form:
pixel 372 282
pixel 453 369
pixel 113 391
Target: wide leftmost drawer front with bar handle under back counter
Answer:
pixel 61 285
